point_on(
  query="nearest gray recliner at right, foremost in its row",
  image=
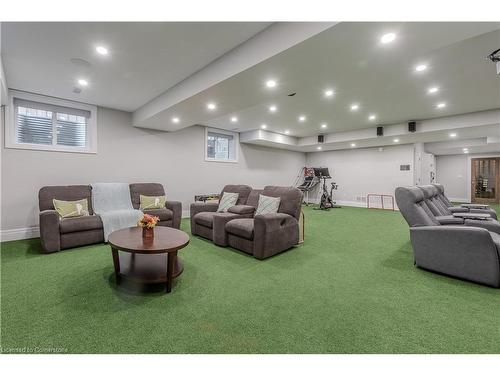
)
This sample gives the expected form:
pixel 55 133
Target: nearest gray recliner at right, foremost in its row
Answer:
pixel 469 253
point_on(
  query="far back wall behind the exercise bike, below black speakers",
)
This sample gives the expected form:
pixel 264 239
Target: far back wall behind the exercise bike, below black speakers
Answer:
pixel 359 172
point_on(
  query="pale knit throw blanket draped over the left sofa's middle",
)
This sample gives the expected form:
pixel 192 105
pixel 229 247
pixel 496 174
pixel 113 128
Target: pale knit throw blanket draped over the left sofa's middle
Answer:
pixel 111 201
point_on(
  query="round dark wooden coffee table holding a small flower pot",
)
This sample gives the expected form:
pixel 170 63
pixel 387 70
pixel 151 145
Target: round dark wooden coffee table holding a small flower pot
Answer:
pixel 147 261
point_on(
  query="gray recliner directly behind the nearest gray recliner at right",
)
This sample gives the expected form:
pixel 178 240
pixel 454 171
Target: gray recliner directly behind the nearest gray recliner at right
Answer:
pixel 444 216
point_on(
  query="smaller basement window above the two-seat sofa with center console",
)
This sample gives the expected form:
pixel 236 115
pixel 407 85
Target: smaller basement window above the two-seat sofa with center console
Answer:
pixel 220 145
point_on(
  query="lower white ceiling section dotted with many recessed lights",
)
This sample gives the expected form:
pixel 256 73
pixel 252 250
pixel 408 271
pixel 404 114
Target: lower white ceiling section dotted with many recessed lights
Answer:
pixel 349 59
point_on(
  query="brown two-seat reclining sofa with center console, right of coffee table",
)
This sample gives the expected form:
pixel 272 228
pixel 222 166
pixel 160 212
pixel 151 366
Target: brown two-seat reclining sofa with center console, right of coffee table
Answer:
pixel 259 235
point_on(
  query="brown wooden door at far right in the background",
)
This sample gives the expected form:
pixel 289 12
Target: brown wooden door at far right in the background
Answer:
pixel 485 180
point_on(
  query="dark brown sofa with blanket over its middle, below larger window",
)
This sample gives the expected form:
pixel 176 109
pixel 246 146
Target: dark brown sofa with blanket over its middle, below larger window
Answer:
pixel 58 234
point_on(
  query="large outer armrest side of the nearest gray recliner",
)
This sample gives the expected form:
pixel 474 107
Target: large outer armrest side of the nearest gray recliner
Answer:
pixel 460 251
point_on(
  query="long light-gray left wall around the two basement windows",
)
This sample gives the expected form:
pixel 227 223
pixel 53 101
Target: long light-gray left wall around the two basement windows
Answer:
pixel 128 154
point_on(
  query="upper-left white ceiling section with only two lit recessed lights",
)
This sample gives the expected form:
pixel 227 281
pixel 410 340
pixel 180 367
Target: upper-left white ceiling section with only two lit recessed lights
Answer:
pixel 145 58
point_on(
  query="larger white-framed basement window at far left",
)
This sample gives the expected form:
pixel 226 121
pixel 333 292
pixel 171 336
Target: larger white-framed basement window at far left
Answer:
pixel 37 122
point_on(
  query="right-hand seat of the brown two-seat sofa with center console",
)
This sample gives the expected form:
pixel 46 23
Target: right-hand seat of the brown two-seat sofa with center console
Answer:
pixel 266 235
